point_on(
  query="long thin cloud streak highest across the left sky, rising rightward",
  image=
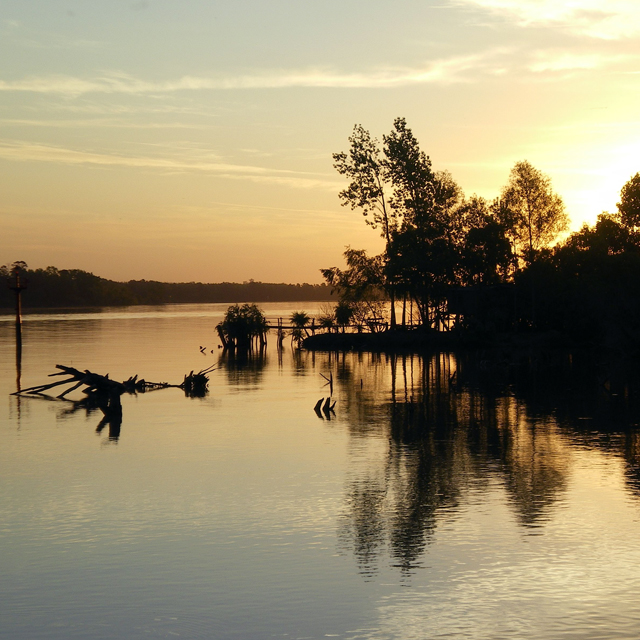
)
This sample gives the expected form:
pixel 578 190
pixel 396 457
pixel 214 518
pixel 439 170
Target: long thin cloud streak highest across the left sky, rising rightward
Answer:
pixel 448 70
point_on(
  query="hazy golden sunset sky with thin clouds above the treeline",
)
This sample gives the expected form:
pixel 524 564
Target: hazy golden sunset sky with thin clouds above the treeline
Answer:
pixel 192 140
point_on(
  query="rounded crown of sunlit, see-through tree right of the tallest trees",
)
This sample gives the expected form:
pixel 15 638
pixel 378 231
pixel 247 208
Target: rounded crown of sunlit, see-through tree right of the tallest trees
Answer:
pixel 530 210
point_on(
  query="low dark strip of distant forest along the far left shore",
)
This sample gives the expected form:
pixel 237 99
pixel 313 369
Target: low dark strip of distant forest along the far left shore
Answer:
pixel 53 287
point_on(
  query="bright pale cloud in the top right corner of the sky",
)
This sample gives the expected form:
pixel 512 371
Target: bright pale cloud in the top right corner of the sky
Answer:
pixel 612 20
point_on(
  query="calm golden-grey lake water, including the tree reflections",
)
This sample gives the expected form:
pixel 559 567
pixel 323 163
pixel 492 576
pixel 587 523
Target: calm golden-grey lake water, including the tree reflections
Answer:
pixel 448 497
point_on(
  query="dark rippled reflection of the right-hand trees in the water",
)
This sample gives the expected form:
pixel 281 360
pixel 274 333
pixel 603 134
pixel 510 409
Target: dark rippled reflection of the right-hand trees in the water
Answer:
pixel 448 425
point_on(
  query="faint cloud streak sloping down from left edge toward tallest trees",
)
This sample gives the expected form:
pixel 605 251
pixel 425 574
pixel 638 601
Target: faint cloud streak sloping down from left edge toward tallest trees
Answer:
pixel 26 151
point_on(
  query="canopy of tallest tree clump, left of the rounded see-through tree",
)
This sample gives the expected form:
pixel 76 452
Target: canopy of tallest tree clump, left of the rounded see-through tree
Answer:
pixel 435 238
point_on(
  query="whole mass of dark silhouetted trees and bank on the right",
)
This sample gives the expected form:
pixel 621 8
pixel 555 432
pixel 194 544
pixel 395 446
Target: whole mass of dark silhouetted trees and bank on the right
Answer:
pixel 461 268
